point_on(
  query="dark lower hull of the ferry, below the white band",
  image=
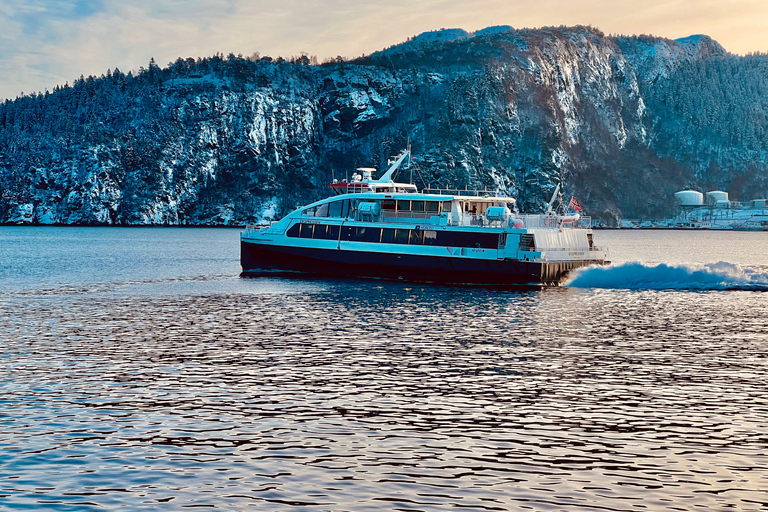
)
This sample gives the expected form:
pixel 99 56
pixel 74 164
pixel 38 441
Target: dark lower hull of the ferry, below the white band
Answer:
pixel 256 258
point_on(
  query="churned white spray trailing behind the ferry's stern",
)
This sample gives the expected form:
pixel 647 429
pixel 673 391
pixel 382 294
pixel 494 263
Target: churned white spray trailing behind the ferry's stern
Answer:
pixel 640 276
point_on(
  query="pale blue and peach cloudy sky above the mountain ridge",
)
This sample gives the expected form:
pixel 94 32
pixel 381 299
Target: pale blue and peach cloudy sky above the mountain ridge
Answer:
pixel 44 43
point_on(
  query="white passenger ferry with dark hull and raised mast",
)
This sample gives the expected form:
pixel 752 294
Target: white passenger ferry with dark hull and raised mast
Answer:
pixel 383 229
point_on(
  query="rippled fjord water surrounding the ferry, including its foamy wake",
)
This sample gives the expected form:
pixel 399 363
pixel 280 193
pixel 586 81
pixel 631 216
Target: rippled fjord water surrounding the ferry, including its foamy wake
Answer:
pixel 138 371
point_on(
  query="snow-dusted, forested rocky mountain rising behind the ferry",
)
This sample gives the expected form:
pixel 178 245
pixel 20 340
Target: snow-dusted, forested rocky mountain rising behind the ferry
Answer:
pixel 621 123
